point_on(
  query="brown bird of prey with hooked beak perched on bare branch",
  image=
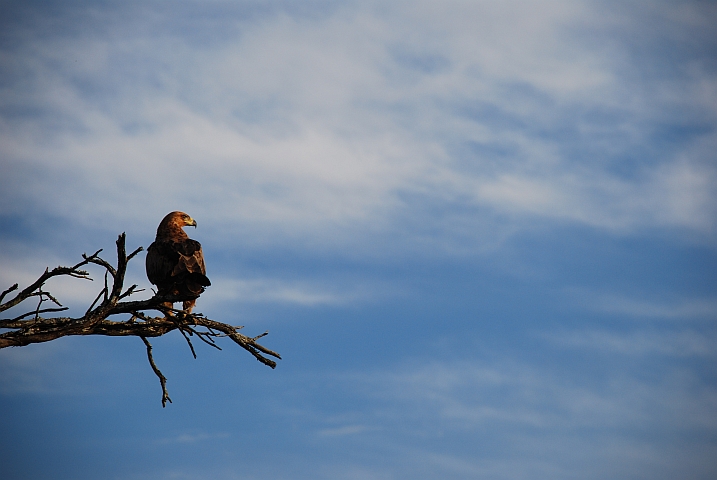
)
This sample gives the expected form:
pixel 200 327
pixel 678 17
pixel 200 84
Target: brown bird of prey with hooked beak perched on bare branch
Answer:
pixel 175 263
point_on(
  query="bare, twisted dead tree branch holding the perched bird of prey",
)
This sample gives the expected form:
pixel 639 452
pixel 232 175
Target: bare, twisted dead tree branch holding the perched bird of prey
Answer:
pixel 30 327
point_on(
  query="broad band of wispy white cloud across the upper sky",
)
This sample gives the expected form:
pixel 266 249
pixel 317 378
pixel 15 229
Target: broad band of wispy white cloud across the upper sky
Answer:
pixel 302 125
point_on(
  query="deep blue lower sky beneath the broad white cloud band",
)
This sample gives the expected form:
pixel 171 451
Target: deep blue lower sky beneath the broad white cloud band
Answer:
pixel 343 396
